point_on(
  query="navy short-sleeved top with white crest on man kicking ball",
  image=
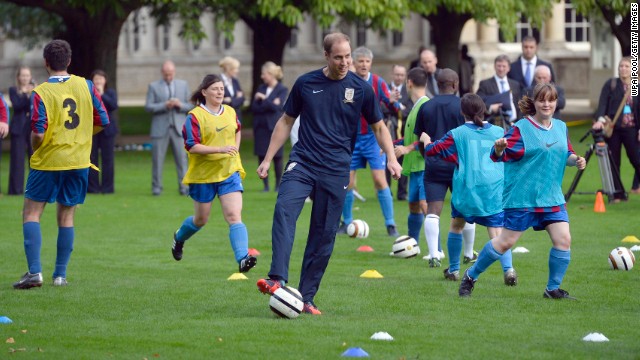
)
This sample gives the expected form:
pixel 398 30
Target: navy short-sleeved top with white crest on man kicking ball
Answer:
pixel 329 118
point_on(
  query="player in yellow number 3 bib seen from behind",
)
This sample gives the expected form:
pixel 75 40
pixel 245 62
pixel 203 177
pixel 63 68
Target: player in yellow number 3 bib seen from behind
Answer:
pixel 66 112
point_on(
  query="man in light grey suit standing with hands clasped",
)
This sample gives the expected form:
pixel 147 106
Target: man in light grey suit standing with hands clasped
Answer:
pixel 168 102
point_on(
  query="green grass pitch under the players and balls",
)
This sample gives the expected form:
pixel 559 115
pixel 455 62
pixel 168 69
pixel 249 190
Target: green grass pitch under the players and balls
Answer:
pixel 128 299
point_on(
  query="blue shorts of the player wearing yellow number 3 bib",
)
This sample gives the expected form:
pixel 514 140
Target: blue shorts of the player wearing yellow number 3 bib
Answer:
pixel 67 187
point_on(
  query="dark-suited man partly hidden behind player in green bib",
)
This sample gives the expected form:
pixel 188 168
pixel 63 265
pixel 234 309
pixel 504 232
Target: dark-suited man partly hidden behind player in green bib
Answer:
pixel 395 121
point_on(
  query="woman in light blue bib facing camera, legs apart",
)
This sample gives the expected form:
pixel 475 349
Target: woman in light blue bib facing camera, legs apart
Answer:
pixel 535 152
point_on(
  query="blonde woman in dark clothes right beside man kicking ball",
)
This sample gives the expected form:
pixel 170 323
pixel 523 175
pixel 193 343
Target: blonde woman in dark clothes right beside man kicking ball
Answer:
pixel 267 108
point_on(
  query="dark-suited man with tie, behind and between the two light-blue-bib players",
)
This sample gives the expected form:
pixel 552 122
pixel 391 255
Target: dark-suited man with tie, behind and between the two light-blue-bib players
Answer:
pixel 499 84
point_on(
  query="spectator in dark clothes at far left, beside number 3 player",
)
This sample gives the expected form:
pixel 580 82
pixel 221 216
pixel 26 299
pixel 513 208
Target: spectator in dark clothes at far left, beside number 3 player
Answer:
pixel 20 129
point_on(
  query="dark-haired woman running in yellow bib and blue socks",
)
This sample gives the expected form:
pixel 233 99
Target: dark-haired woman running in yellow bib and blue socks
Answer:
pixel 212 137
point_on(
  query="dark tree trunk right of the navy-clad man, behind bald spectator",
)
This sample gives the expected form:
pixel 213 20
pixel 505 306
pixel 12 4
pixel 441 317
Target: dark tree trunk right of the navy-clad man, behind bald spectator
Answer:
pixel 446 27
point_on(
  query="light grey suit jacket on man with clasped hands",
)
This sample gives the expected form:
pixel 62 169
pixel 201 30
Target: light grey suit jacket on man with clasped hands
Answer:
pixel 163 119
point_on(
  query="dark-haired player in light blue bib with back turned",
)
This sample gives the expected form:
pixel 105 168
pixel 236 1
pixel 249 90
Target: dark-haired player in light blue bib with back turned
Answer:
pixel 477 182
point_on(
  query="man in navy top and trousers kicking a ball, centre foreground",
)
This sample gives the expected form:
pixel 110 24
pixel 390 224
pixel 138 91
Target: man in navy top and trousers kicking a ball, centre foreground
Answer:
pixel 329 102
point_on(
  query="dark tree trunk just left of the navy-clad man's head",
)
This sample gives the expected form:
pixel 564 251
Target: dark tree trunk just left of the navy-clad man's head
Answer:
pixel 269 40
